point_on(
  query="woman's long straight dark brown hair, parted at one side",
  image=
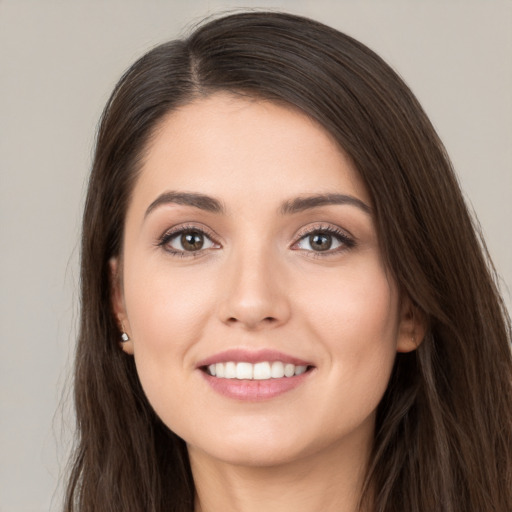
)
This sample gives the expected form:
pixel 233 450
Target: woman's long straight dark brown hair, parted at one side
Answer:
pixel 444 427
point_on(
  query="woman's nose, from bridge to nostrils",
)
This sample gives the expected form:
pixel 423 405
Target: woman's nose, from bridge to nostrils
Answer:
pixel 255 292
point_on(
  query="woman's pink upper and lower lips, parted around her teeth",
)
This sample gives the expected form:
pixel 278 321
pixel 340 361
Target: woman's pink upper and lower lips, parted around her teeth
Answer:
pixel 254 390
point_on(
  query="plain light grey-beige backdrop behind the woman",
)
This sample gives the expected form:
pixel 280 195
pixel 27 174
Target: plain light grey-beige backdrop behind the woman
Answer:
pixel 58 64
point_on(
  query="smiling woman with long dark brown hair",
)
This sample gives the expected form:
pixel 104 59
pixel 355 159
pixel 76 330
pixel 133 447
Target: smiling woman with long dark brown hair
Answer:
pixel 285 304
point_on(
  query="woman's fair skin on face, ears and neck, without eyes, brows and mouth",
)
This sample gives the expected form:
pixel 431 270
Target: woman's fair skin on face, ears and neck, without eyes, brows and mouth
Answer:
pixel 259 284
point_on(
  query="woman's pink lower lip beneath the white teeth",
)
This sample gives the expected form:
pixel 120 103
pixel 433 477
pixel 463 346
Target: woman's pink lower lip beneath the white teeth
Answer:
pixel 254 390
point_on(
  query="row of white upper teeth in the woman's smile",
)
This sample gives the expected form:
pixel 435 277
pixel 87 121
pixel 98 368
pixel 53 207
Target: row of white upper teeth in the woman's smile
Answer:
pixel 259 371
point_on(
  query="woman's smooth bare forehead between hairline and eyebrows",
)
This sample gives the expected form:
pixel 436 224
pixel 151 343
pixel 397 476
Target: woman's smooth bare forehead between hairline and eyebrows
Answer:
pixel 244 150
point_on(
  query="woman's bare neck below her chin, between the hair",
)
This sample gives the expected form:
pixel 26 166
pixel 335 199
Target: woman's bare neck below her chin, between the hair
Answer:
pixel 323 482
